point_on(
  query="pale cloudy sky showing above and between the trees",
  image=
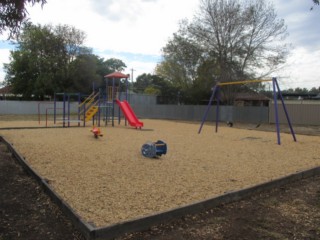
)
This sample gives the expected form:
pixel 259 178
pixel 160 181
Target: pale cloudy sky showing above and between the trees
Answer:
pixel 136 30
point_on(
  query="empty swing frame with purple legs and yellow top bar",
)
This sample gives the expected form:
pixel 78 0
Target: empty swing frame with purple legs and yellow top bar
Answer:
pixel 276 89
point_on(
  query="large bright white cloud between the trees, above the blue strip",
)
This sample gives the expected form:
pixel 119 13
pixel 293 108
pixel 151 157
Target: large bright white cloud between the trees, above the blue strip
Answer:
pixel 134 26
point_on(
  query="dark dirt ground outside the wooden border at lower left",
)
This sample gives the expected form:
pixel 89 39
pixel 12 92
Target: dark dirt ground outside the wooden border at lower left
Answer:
pixel 26 212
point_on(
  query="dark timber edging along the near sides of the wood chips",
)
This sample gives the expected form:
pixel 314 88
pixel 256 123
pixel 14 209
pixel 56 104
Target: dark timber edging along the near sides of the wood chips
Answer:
pixel 139 224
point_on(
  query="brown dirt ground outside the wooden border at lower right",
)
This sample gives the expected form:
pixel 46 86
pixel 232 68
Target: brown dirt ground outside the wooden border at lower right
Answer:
pixel 290 212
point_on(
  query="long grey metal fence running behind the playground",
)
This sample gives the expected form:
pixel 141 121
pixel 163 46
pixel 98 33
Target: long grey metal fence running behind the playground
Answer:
pixel 145 107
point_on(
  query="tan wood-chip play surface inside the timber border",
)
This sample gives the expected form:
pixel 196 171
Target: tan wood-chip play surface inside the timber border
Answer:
pixel 106 180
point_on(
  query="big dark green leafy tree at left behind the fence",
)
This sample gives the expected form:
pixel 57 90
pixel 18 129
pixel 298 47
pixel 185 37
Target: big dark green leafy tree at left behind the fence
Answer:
pixel 40 65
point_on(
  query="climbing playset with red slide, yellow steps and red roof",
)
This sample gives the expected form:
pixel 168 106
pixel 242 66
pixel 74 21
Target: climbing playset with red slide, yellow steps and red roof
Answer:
pixel 99 105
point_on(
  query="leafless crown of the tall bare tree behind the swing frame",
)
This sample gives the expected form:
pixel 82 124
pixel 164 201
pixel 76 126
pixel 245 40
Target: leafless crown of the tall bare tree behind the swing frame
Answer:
pixel 244 36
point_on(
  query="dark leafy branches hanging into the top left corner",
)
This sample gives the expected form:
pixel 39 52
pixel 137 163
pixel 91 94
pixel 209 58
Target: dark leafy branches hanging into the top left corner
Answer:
pixel 13 14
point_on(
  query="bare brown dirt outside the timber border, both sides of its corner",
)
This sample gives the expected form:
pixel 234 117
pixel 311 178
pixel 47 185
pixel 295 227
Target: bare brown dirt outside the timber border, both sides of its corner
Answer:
pixel 291 212
